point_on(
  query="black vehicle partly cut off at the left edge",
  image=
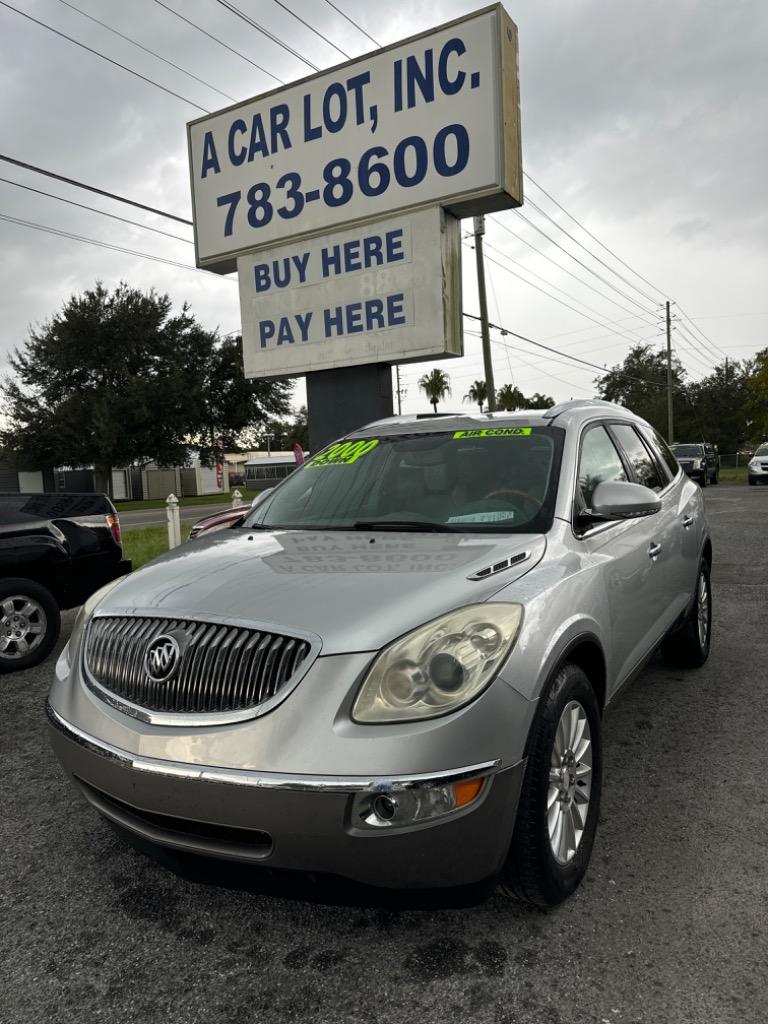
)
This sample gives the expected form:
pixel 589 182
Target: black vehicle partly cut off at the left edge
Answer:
pixel 56 551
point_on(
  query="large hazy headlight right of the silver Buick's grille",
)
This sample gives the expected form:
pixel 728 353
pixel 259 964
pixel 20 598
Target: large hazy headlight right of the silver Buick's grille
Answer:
pixel 440 667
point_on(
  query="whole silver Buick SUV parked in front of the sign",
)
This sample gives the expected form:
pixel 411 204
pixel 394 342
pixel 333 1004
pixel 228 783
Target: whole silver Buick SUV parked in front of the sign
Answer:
pixel 396 669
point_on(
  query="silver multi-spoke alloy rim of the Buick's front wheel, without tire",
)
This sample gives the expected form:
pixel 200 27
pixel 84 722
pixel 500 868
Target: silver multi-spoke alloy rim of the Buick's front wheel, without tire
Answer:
pixel 570 783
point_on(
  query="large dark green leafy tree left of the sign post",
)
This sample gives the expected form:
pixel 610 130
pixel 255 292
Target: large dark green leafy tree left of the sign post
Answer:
pixel 117 377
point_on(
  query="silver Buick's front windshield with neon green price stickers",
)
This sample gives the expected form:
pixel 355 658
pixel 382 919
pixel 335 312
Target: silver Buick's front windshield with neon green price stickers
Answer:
pixel 497 480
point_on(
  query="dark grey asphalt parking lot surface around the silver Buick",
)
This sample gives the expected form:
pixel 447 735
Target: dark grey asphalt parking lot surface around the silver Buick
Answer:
pixel 670 925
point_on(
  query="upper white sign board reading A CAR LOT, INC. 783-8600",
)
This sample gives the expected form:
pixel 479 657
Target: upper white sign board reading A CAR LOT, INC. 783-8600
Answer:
pixel 432 120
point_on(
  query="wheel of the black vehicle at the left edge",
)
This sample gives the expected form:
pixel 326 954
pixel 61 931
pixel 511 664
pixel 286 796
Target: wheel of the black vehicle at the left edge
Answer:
pixel 30 624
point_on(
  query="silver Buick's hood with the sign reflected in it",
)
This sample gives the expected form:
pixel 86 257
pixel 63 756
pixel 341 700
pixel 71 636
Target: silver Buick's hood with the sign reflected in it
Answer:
pixel 356 591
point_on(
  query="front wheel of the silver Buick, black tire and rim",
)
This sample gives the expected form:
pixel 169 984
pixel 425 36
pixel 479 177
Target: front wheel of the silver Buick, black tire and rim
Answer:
pixel 561 797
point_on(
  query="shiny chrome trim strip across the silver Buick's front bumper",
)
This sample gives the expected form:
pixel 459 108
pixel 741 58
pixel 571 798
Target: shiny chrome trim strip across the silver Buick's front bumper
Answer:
pixel 264 781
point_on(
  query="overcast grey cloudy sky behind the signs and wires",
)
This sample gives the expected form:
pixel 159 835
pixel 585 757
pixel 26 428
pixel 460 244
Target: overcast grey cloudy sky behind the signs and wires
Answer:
pixel 646 120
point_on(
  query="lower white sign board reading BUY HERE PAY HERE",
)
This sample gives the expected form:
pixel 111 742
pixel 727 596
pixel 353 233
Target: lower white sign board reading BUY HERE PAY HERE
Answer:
pixel 389 291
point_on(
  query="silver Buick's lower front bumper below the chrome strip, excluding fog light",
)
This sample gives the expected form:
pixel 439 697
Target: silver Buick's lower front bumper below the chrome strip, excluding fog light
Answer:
pixel 297 823
